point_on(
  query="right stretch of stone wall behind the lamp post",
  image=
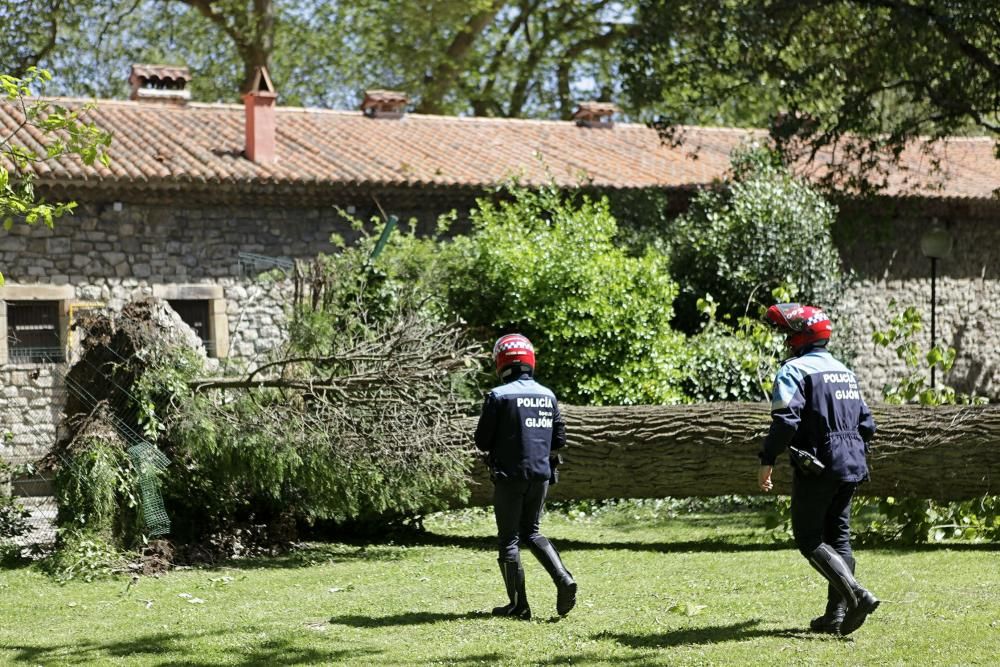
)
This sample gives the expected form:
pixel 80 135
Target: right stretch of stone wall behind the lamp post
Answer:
pixel 881 245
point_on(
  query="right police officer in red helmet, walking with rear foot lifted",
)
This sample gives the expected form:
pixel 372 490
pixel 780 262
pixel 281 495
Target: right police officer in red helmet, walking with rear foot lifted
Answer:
pixel 818 413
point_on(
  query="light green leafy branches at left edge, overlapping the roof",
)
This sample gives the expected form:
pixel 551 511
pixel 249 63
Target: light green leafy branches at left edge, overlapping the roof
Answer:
pixel 66 133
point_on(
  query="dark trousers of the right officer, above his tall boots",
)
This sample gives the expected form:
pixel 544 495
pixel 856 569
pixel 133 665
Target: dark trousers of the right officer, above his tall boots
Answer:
pixel 821 513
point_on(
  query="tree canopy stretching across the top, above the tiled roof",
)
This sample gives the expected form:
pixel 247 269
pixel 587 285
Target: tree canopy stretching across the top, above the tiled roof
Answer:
pixel 861 77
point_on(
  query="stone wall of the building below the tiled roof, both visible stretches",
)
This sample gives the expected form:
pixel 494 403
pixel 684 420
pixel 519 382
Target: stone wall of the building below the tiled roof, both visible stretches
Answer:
pixel 109 256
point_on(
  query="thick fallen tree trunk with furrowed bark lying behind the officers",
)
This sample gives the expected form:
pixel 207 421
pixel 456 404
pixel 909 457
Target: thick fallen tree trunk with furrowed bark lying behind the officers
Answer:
pixel 943 453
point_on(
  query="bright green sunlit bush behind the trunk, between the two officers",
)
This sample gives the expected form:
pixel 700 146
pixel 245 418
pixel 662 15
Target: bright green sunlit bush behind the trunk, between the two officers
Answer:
pixel 546 265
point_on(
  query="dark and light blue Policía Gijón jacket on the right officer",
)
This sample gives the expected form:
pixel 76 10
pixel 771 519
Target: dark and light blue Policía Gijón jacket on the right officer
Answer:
pixel 816 406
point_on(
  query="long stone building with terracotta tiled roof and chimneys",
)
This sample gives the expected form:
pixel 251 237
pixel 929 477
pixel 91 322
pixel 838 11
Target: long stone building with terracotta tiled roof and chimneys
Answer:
pixel 199 198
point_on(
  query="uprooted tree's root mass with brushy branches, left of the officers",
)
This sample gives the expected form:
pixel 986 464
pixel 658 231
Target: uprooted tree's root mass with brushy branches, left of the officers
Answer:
pixel 378 408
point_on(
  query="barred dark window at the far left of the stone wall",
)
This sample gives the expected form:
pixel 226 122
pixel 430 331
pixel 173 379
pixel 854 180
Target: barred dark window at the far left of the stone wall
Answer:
pixel 33 332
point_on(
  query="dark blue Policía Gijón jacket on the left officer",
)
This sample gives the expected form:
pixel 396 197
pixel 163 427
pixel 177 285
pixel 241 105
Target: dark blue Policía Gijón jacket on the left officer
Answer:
pixel 519 426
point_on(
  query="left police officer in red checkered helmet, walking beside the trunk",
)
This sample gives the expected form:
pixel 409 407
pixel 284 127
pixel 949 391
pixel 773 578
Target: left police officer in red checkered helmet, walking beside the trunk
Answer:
pixel 519 428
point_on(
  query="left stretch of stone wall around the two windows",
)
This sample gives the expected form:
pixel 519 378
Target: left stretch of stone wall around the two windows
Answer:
pixel 109 257
